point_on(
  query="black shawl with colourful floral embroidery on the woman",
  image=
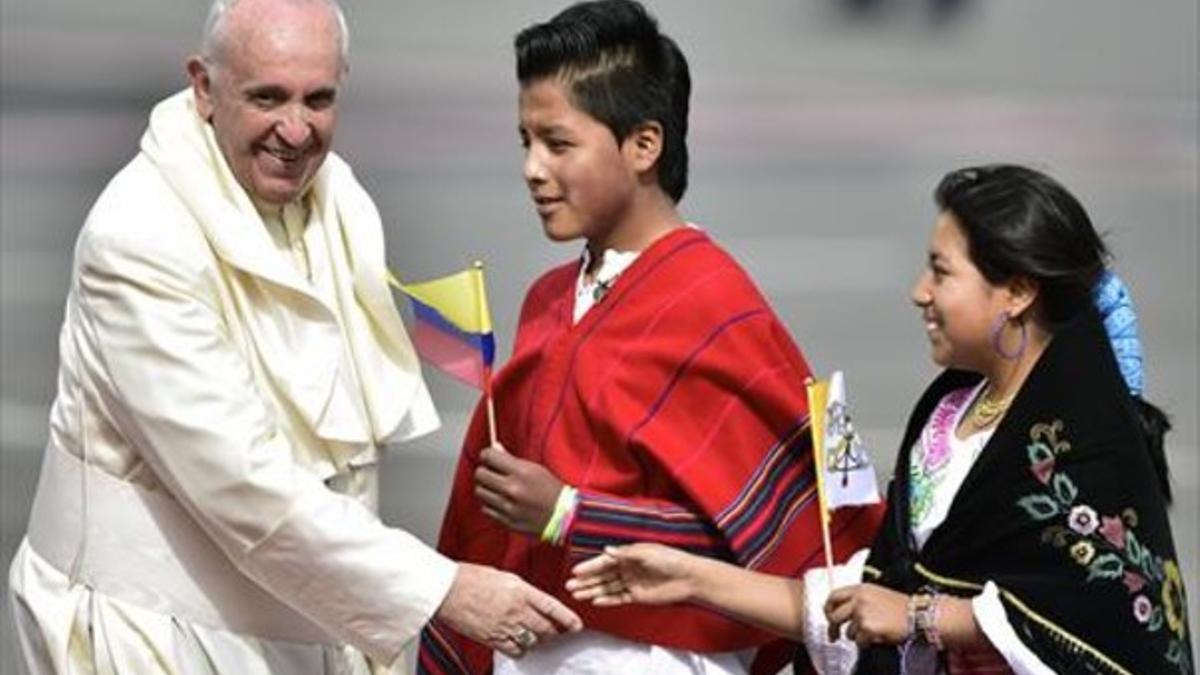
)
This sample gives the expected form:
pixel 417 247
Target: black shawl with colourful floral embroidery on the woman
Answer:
pixel 1064 512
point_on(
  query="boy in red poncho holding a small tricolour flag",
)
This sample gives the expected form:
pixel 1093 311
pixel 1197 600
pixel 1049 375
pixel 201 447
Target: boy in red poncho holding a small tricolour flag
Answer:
pixel 652 393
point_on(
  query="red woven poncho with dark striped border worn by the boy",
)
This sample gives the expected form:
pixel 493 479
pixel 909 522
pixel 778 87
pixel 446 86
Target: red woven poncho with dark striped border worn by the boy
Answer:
pixel 677 407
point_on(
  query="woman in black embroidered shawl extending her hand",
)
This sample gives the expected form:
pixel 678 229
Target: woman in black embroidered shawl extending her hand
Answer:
pixel 1027 527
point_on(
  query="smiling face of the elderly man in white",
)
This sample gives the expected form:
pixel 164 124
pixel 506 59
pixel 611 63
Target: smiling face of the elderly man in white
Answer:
pixel 272 94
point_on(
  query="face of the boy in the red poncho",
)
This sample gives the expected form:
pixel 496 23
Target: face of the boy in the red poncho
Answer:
pixel 581 181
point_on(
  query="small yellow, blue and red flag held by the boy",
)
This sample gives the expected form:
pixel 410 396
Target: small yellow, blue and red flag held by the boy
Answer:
pixel 453 325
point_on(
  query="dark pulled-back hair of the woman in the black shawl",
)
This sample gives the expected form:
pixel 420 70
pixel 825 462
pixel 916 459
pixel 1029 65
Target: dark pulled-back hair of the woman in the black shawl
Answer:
pixel 1022 223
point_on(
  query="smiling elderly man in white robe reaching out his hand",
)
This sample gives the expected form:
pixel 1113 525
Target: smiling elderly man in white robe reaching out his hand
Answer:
pixel 232 362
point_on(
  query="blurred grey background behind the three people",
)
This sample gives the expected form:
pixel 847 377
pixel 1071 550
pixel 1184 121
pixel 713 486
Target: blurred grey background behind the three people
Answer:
pixel 819 129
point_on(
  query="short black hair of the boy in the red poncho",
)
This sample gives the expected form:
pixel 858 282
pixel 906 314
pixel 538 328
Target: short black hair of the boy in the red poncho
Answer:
pixel 619 69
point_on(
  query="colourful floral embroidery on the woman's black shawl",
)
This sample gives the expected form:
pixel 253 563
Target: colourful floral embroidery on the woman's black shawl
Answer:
pixel 1107 546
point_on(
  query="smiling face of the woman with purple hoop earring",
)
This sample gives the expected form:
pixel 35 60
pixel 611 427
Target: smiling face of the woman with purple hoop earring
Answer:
pixel 959 307
